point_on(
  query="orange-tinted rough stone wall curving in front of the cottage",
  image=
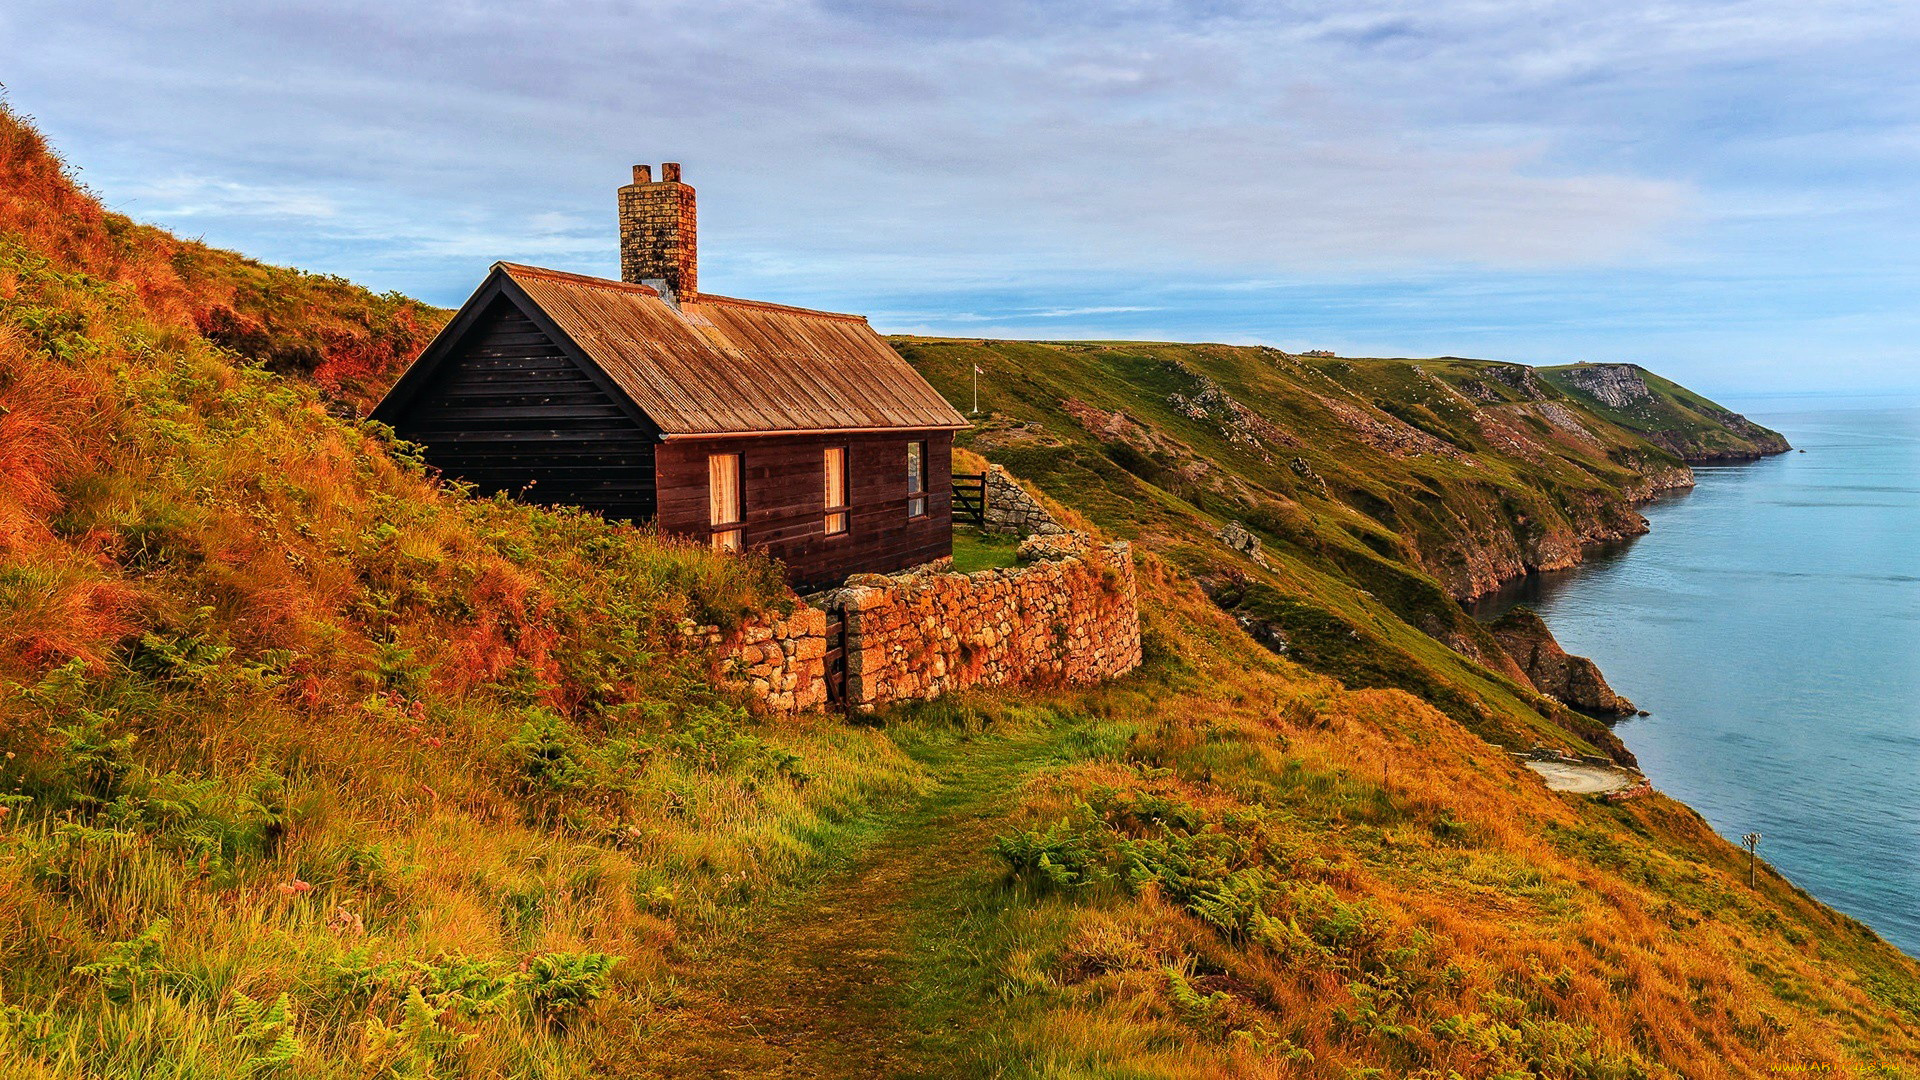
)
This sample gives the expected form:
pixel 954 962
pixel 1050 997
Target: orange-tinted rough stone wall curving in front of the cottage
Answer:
pixel 1068 620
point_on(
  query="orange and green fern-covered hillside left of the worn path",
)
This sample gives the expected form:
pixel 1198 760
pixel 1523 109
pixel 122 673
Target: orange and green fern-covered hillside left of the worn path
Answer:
pixel 304 752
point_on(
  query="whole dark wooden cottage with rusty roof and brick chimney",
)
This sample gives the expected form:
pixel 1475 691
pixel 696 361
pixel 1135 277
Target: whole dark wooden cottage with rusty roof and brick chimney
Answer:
pixel 740 424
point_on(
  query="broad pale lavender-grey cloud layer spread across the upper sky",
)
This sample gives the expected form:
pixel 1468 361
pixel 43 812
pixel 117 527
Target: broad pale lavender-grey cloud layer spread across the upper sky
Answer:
pixel 1186 135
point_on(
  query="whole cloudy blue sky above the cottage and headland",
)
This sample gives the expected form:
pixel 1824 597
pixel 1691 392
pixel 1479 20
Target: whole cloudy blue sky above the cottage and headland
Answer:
pixel 1725 193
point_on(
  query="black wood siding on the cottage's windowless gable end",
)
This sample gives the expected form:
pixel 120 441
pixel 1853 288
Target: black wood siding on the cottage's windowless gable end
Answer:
pixel 512 412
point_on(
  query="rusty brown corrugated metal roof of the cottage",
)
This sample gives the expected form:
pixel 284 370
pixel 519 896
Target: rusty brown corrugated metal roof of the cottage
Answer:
pixel 719 366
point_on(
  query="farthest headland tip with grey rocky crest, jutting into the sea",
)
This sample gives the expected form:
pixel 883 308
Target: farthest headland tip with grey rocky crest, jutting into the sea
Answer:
pixel 1664 412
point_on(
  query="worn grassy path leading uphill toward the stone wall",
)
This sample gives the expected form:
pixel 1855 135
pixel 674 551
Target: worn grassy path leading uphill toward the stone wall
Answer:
pixel 857 977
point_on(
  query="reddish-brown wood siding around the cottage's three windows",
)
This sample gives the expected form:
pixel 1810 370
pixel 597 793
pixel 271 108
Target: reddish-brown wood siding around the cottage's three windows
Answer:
pixel 784 487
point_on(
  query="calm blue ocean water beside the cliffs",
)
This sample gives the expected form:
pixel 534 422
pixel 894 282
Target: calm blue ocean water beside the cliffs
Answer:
pixel 1771 624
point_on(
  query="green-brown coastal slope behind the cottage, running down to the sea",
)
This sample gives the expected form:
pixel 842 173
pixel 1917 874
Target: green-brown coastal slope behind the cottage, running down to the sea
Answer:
pixel 1381 491
